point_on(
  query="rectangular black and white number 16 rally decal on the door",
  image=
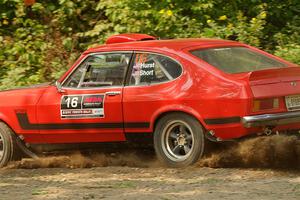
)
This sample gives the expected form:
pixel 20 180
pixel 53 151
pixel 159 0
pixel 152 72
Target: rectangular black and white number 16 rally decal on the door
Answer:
pixel 82 106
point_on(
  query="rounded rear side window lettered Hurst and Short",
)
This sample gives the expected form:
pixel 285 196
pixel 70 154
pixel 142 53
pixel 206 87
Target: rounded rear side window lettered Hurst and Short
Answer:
pixel 152 68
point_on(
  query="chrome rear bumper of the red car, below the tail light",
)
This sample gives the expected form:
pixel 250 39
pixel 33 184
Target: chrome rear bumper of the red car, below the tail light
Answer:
pixel 271 119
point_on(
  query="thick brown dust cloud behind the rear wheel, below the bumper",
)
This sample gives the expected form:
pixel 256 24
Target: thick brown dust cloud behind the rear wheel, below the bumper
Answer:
pixel 277 151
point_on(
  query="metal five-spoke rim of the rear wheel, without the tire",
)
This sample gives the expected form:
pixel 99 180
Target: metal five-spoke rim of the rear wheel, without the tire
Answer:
pixel 177 140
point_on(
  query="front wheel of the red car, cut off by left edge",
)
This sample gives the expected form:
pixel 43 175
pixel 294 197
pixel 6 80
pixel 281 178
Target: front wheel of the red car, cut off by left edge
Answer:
pixel 8 147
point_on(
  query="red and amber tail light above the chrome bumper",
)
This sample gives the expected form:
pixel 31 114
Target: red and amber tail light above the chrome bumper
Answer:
pixel 265 104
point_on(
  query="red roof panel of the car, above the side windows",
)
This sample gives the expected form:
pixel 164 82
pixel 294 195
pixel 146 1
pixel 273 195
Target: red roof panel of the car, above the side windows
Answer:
pixel 175 44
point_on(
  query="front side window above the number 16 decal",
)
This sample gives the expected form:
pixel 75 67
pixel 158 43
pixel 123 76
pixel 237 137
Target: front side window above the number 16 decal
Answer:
pixel 100 70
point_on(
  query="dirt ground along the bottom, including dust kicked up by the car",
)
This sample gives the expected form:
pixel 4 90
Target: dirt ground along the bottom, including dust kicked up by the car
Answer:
pixel 259 168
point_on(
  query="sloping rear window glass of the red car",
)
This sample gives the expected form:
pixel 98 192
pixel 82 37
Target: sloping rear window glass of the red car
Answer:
pixel 237 59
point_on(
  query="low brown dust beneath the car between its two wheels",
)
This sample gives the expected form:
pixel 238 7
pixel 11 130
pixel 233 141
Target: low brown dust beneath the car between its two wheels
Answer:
pixel 83 160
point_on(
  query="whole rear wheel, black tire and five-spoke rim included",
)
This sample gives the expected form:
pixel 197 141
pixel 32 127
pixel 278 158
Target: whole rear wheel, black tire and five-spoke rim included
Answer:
pixel 179 151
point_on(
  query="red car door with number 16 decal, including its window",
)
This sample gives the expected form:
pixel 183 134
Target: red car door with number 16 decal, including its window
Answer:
pixel 88 108
